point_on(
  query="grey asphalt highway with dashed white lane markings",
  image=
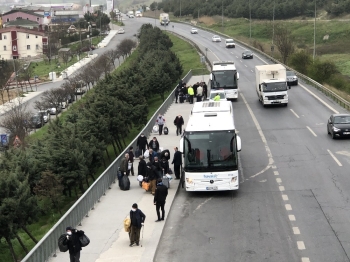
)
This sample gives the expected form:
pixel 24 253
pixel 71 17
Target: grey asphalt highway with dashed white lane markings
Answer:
pixel 293 201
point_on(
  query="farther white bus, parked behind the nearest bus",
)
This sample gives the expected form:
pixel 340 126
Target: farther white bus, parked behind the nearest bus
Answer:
pixel 224 76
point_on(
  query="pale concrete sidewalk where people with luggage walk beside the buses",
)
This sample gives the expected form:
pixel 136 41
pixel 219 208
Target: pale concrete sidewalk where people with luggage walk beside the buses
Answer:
pixel 104 225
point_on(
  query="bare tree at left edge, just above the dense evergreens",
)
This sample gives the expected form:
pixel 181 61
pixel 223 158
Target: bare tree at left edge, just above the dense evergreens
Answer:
pixel 16 120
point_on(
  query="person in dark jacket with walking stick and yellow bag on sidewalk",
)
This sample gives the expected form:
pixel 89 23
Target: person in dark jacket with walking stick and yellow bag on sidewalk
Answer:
pixel 137 219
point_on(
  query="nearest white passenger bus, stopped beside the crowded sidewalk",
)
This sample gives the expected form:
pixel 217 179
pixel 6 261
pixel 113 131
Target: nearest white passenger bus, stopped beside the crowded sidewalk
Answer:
pixel 210 148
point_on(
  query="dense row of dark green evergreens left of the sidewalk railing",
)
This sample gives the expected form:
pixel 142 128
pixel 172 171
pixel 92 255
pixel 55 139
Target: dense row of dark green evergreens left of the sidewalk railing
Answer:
pixel 44 172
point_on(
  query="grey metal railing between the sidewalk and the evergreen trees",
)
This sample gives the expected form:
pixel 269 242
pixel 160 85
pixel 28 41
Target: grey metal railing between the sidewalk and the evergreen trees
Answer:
pixel 47 246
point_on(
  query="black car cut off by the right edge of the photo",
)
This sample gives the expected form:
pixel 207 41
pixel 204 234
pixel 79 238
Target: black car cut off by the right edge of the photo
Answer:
pixel 339 125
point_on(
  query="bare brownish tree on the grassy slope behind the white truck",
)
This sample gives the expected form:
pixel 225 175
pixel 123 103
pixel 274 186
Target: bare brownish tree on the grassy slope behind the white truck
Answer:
pixel 284 41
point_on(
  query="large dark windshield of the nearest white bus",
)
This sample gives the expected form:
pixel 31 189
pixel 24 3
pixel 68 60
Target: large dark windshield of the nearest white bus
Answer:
pixel 210 151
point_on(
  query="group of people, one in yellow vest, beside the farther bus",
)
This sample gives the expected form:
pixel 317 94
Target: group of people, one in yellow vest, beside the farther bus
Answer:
pixel 183 92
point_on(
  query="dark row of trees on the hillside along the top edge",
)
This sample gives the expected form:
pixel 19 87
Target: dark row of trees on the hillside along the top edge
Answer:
pixel 259 9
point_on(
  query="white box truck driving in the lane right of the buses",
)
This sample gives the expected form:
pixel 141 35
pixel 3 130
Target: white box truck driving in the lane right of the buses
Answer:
pixel 271 84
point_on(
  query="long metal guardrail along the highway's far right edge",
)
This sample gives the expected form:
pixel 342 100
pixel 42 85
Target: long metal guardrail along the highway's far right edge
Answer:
pixel 337 98
